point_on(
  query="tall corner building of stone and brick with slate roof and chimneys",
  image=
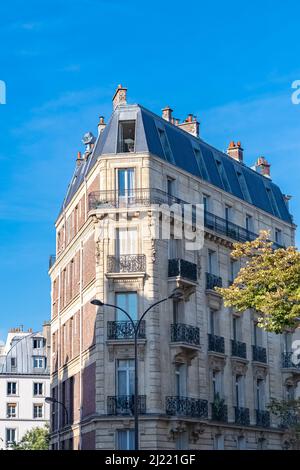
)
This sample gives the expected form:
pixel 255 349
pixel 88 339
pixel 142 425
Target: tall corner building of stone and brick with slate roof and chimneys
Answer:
pixel 205 373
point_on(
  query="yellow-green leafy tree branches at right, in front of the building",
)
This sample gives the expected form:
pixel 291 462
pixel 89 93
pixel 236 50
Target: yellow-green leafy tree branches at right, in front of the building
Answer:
pixel 268 282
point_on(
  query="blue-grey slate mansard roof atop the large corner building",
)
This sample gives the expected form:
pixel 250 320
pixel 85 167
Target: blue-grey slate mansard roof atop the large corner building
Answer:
pixel 189 153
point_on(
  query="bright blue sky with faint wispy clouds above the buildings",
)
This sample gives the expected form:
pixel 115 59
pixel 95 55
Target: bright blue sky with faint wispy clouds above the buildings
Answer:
pixel 61 60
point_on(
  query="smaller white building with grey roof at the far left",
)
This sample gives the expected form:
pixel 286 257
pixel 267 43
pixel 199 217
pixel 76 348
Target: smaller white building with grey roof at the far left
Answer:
pixel 24 383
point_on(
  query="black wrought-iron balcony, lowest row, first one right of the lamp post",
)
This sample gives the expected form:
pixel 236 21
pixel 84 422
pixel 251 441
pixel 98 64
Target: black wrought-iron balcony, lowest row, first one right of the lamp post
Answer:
pixel 183 406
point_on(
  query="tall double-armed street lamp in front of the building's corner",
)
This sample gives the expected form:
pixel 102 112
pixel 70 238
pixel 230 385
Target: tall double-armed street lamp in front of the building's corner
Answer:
pixel 136 327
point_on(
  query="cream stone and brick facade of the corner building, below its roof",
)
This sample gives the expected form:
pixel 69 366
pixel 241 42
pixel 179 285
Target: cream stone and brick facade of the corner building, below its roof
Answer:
pixel 209 354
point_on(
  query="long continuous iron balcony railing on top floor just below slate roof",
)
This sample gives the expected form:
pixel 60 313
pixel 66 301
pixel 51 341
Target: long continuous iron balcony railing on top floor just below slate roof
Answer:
pixel 148 196
